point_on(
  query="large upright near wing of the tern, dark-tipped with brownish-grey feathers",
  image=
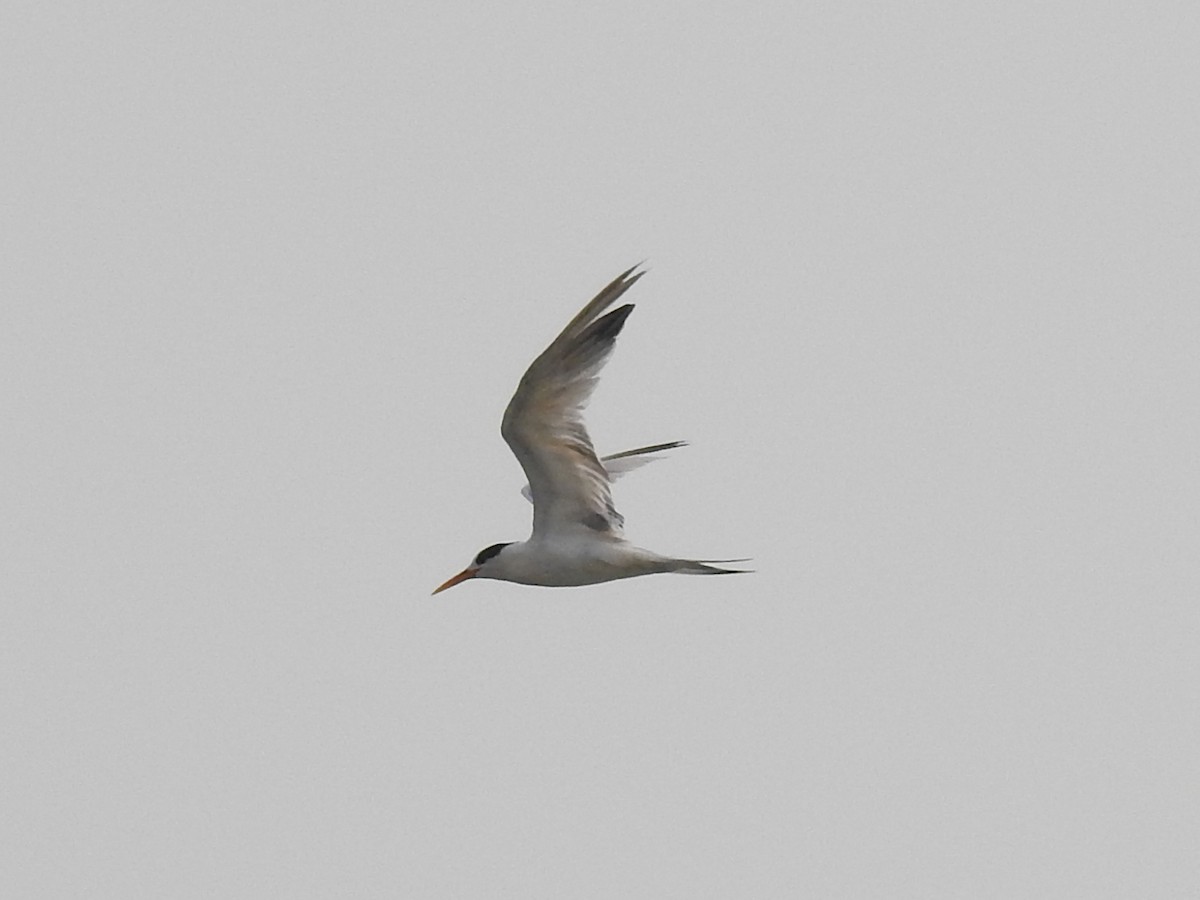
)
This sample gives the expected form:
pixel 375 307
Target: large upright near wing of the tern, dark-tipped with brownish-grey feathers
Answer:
pixel 544 422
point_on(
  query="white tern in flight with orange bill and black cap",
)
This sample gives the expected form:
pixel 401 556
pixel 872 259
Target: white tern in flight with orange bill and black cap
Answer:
pixel 578 535
